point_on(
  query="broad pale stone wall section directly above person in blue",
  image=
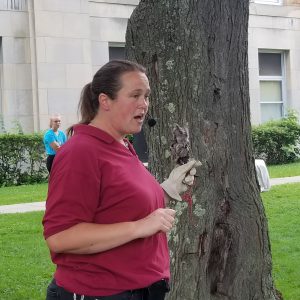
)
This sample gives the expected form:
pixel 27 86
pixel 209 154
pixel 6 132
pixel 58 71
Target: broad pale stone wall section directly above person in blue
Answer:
pixel 63 57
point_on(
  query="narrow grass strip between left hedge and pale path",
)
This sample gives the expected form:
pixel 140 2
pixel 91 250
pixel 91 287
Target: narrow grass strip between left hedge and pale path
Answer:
pixel 23 193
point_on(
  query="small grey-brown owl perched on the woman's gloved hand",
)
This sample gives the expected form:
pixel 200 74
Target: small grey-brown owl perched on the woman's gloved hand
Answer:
pixel 180 147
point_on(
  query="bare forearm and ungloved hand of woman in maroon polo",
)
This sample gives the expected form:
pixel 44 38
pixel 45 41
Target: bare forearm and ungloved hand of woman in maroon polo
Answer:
pixel 89 238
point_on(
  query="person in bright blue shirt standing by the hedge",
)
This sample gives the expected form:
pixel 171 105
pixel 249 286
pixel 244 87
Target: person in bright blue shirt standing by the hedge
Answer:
pixel 53 140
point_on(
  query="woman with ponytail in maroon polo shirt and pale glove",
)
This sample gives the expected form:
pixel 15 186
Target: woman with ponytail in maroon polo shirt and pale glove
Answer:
pixel 105 221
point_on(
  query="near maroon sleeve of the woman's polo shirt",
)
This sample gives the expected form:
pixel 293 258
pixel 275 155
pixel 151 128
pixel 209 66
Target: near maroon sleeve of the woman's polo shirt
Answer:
pixel 74 191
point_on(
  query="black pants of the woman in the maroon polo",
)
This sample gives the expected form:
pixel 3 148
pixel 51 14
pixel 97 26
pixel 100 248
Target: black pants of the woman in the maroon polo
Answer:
pixel 155 291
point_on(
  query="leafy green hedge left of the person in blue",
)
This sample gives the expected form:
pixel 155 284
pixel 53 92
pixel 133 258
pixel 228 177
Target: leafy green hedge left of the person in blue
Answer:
pixel 22 159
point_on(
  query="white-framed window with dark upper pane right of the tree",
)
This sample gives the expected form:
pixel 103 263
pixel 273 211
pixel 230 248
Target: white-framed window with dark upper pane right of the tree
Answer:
pixel 271 85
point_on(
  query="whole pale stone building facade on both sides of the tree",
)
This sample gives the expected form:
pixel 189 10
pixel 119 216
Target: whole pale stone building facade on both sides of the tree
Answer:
pixel 49 49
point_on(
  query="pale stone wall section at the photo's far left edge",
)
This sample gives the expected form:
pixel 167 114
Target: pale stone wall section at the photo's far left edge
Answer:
pixel 15 71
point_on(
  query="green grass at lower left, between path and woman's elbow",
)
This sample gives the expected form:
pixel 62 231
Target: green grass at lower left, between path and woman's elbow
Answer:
pixel 26 269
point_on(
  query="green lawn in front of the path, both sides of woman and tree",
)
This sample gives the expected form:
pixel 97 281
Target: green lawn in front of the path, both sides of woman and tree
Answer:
pixel 27 269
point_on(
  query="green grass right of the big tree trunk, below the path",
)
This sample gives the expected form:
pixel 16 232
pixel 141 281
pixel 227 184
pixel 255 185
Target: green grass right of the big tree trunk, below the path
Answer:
pixel 282 204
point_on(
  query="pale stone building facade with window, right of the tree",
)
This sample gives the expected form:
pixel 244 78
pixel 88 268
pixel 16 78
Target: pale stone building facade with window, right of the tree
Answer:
pixel 274 58
